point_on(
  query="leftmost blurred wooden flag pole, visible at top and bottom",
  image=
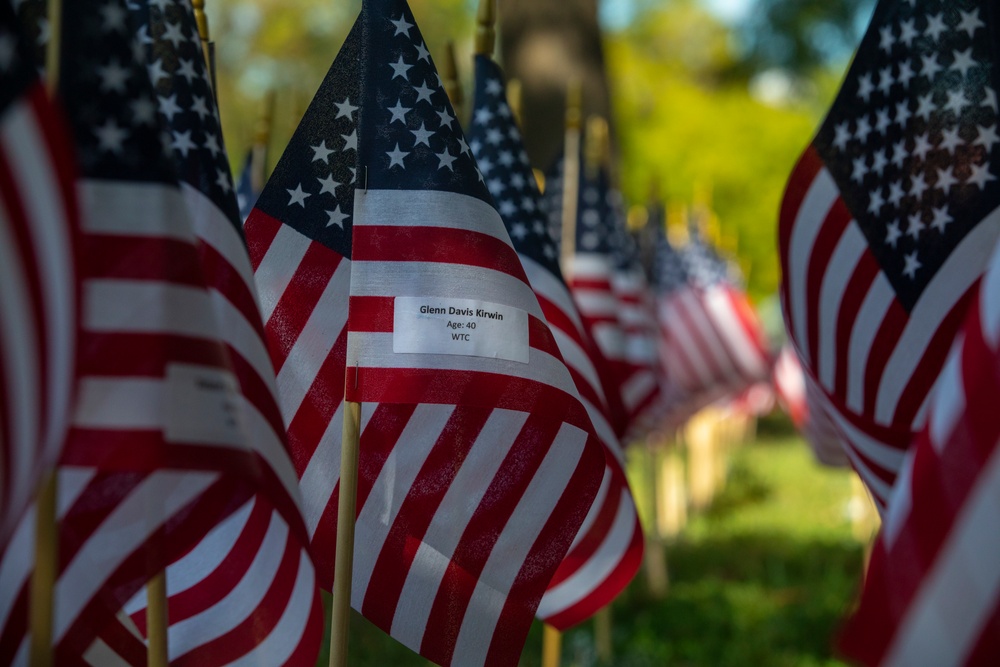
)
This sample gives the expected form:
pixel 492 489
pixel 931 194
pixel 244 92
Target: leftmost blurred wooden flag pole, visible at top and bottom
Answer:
pixel 43 578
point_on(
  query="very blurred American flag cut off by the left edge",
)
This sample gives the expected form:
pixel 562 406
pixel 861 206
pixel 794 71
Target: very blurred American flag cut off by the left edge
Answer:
pixel 38 281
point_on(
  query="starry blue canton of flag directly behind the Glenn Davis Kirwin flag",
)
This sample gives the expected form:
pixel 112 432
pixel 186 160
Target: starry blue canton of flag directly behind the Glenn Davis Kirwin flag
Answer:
pixel 496 143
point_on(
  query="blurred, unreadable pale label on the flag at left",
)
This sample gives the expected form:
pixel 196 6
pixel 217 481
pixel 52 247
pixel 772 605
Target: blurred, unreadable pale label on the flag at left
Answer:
pixel 203 405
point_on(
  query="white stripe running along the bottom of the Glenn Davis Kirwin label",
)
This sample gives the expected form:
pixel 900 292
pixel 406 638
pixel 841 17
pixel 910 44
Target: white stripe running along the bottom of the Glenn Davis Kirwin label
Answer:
pixel 374 350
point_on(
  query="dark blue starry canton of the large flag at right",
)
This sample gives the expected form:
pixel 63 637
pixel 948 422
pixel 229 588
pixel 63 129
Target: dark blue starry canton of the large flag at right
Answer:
pixel 912 137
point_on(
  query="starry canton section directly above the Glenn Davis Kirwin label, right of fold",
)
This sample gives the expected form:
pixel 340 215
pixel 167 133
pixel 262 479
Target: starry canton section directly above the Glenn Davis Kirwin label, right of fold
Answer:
pixel 409 138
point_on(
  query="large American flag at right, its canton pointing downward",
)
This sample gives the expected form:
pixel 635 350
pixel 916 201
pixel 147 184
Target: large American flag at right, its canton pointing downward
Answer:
pixel 888 222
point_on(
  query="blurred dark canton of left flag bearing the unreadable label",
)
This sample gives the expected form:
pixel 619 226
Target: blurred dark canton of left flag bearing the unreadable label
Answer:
pixel 108 97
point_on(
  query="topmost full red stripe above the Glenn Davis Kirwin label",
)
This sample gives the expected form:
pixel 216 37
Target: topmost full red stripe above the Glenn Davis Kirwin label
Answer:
pixel 441 245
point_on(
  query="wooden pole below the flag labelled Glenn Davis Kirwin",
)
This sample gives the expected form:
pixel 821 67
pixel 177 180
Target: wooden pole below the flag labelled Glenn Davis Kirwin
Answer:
pixel 346 512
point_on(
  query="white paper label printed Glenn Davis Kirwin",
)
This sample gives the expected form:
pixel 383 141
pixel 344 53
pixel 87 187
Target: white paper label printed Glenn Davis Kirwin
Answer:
pixel 431 325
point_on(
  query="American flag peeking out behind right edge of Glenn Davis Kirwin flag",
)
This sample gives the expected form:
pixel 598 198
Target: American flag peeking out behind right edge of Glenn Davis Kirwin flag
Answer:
pixel 608 549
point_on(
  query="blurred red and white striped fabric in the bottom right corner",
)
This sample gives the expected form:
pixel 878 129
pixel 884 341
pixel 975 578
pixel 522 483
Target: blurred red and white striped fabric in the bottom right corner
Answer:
pixel 932 592
